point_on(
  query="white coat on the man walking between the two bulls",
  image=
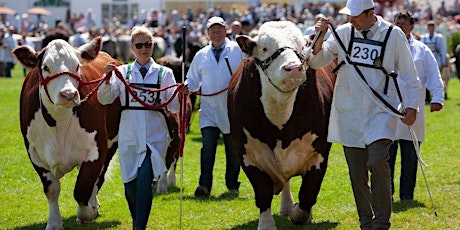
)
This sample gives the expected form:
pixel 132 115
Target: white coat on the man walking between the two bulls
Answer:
pixel 213 77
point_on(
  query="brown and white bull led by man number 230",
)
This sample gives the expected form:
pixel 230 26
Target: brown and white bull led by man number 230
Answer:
pixel 279 113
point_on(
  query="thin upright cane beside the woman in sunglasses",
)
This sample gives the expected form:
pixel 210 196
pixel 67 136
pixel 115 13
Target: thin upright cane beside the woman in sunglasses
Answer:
pixel 181 127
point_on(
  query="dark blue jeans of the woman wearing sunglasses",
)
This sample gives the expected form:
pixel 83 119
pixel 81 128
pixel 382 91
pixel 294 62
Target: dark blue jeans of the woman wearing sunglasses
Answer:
pixel 139 193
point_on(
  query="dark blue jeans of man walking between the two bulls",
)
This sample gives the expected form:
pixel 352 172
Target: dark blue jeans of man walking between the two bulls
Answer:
pixel 208 157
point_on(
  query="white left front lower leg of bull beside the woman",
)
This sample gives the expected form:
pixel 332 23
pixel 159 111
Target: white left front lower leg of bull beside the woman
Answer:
pixel 52 188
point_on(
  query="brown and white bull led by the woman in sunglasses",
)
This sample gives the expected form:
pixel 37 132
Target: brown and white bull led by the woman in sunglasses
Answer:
pixel 60 131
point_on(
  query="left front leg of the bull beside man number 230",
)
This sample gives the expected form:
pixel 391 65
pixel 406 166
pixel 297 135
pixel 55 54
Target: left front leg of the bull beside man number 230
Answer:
pixel 263 189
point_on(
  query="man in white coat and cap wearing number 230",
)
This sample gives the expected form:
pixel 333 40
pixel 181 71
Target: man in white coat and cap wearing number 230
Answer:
pixel 366 105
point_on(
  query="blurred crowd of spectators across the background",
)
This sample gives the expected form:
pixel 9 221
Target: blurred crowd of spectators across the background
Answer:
pixel 168 24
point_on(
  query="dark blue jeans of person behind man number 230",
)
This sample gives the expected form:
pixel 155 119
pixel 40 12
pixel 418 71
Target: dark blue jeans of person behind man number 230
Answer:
pixel 408 168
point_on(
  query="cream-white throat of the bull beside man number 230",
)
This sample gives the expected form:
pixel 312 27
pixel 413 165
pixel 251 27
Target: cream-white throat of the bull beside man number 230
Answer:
pixel 277 106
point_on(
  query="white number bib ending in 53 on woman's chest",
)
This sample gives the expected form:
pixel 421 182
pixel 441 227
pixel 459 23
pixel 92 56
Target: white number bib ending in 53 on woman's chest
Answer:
pixel 146 96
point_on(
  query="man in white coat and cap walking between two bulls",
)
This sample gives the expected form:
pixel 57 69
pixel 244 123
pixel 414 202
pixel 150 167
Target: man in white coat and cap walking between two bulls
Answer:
pixel 210 72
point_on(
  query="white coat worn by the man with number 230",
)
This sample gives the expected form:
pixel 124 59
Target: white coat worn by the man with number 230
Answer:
pixel 356 118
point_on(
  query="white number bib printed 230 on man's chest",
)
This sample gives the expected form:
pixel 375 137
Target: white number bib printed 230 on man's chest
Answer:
pixel 366 52
